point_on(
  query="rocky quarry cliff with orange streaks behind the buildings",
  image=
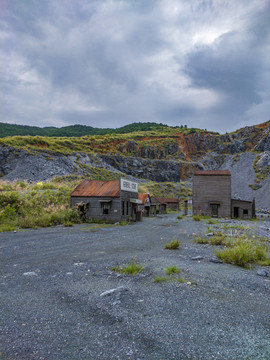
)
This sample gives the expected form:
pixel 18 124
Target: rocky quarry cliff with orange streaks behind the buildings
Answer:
pixel 246 153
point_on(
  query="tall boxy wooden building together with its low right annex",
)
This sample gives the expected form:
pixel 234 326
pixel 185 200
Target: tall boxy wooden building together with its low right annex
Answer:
pixel 212 196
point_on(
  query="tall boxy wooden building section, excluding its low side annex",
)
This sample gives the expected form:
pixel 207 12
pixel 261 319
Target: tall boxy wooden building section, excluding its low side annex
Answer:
pixel 212 193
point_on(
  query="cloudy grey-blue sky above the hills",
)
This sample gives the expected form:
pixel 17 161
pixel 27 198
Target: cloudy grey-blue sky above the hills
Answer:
pixel 109 63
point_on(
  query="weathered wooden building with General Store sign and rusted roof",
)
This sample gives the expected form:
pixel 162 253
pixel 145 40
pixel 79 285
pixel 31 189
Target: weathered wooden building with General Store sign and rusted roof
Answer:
pixel 107 200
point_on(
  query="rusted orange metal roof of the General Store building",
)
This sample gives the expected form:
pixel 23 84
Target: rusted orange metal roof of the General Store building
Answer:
pixel 97 188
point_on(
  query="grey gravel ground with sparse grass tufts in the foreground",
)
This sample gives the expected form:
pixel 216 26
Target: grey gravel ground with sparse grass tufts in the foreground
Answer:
pixel 55 302
